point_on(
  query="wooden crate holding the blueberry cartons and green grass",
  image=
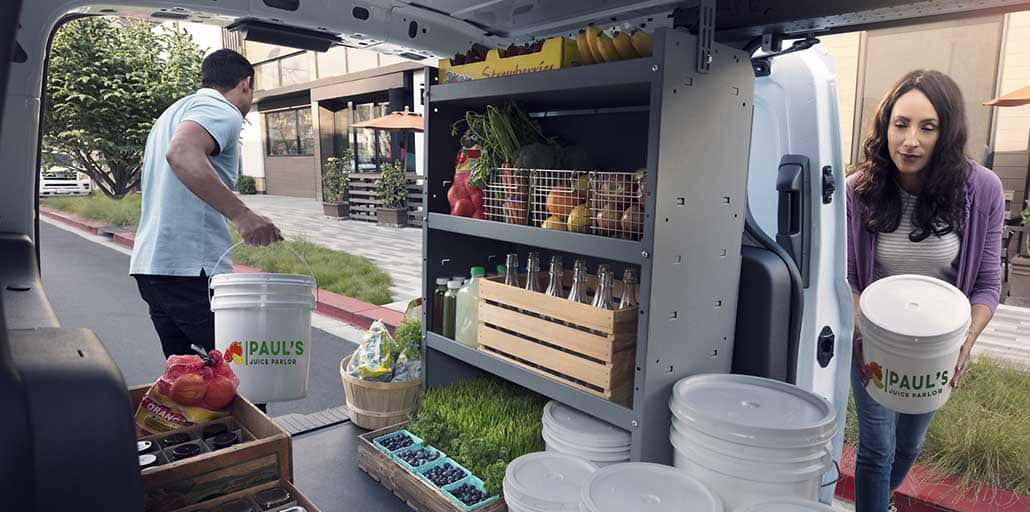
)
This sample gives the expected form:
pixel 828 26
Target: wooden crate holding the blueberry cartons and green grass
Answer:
pixel 419 494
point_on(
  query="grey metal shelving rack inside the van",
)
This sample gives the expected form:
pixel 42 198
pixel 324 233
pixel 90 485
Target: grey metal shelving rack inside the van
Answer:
pixel 692 131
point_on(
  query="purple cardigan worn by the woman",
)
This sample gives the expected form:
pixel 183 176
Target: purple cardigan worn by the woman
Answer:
pixel 980 257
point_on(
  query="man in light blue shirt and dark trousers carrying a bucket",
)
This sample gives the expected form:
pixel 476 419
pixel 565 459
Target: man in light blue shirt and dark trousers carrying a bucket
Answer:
pixel 191 165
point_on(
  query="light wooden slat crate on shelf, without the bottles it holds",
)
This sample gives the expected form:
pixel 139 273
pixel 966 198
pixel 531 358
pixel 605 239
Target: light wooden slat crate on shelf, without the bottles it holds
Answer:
pixel 586 348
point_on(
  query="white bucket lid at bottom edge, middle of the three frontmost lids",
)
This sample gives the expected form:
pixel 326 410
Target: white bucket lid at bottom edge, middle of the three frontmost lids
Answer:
pixel 647 488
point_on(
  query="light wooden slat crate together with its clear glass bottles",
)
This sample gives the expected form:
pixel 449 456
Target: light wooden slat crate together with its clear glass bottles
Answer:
pixel 580 330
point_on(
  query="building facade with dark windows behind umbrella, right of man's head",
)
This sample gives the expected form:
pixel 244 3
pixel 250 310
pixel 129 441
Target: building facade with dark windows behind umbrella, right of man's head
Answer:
pixel 305 106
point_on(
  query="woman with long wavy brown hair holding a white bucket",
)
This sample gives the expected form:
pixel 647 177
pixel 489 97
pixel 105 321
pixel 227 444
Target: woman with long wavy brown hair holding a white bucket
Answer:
pixel 918 206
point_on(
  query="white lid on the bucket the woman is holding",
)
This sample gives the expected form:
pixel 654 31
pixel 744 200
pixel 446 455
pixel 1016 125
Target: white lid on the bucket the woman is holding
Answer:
pixel 915 306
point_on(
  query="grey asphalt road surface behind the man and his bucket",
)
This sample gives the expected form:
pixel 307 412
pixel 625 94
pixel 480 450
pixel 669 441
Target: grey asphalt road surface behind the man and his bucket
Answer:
pixel 89 287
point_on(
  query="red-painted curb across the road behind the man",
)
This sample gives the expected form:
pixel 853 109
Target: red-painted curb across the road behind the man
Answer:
pixel 353 312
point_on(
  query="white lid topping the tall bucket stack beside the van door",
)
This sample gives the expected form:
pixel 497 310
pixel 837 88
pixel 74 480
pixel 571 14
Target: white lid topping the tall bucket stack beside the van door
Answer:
pixel 753 411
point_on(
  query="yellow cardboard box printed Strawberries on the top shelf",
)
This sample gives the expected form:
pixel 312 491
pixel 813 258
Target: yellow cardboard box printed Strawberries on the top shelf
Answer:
pixel 558 53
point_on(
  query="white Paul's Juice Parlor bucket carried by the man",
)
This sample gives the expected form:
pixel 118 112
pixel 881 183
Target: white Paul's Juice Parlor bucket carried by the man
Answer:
pixel 263 323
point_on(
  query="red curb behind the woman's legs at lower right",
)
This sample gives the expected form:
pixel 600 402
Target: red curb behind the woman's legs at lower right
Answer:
pixel 928 491
